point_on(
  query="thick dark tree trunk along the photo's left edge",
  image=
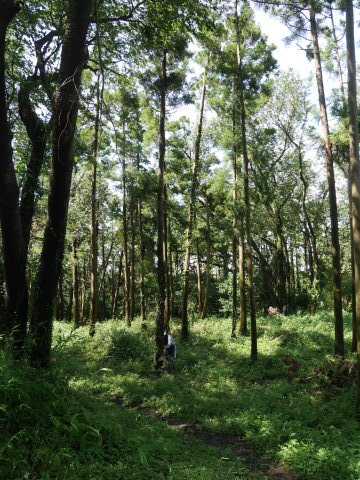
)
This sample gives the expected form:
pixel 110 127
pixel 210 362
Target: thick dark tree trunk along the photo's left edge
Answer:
pixel 14 250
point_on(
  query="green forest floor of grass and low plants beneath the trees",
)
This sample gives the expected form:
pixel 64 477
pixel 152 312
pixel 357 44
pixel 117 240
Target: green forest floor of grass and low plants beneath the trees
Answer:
pixel 101 412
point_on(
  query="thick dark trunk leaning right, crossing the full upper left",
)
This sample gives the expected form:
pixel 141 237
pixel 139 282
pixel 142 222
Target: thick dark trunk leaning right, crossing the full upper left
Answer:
pixel 66 102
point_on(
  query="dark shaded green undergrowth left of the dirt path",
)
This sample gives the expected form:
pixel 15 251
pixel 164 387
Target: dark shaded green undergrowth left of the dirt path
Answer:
pixel 52 429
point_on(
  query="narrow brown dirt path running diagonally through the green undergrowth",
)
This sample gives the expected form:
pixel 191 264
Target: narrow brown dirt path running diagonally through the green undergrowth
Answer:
pixel 248 453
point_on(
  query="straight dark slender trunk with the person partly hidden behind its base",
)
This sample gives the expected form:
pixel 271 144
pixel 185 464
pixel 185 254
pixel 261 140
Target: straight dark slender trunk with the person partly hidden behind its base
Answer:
pixel 161 266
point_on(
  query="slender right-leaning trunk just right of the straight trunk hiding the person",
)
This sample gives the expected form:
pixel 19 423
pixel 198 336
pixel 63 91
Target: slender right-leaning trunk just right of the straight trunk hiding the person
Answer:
pixel 189 231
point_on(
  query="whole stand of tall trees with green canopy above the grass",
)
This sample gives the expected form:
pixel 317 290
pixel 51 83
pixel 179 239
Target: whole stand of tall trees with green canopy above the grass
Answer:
pixel 113 205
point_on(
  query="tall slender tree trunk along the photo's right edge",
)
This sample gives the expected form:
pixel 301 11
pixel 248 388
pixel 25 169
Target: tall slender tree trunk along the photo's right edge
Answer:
pixel 355 172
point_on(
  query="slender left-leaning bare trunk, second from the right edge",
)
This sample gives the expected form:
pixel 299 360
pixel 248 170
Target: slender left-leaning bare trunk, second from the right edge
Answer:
pixel 335 245
